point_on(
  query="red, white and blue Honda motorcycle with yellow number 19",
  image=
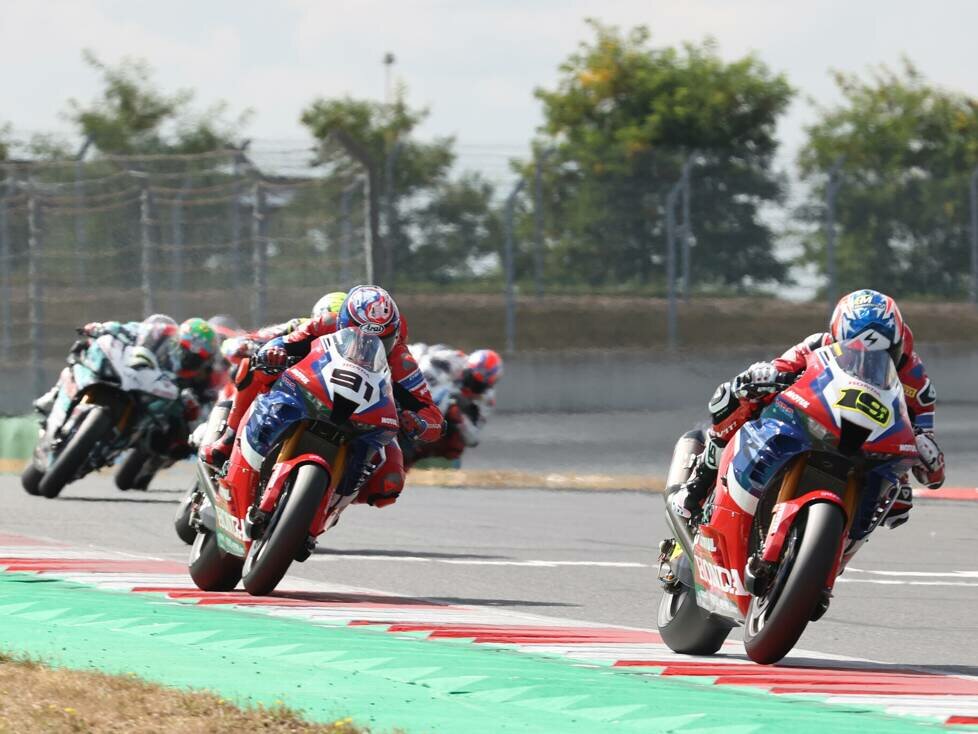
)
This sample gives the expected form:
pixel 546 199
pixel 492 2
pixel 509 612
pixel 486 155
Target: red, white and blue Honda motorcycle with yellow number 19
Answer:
pixel 799 489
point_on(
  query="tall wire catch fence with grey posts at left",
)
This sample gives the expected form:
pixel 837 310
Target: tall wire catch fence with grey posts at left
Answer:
pixel 187 235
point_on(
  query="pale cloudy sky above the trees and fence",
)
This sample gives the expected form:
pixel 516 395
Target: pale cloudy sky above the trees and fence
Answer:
pixel 475 63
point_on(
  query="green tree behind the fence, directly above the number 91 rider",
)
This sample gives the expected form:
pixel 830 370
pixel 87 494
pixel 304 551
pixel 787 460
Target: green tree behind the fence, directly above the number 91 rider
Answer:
pixel 433 219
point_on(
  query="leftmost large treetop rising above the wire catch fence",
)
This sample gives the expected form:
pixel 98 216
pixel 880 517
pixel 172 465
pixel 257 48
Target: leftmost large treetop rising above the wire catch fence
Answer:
pixel 132 116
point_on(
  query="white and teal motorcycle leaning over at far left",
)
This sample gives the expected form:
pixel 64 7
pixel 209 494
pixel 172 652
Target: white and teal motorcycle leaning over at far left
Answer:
pixel 113 395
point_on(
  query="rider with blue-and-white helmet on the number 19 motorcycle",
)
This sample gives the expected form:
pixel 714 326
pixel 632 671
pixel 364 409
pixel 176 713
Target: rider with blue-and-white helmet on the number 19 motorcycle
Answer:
pixel 867 315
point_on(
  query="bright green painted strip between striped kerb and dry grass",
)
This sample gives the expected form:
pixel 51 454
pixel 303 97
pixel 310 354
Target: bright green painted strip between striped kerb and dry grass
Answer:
pixel 383 680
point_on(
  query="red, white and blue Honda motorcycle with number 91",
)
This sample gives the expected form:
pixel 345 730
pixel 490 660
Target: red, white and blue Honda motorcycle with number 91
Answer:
pixel 342 398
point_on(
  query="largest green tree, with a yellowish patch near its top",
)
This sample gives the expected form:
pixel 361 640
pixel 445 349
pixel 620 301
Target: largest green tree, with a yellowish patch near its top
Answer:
pixel 622 118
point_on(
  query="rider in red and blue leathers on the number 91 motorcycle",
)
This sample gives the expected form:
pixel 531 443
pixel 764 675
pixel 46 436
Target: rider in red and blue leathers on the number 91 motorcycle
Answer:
pixel 371 309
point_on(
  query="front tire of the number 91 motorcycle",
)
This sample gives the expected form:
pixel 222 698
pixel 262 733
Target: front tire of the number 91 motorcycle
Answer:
pixel 270 556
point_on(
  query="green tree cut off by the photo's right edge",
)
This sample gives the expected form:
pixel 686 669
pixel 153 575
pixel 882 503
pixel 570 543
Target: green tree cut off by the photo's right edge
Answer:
pixel 906 149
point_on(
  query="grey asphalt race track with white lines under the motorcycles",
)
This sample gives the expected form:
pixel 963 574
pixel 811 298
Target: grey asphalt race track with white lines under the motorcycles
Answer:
pixel 910 598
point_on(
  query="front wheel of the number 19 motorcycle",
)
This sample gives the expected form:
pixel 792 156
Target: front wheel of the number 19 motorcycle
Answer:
pixel 777 620
